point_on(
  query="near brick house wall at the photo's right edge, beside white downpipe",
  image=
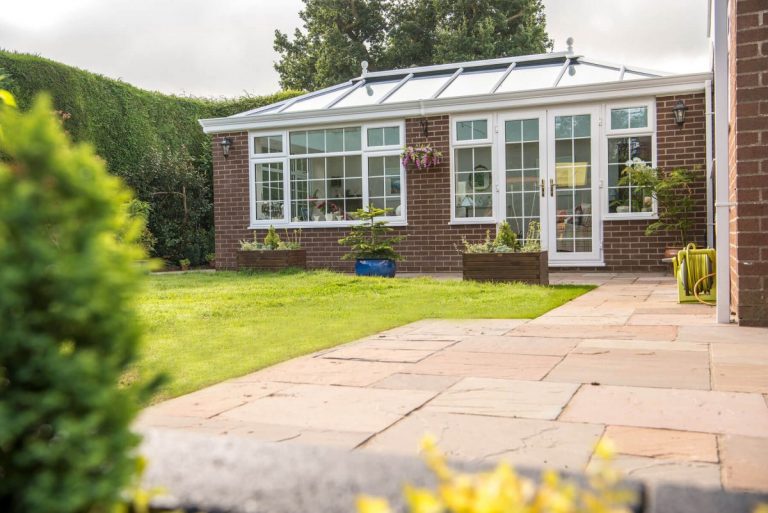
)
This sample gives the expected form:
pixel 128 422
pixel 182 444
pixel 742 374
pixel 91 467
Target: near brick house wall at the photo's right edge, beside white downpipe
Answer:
pixel 748 160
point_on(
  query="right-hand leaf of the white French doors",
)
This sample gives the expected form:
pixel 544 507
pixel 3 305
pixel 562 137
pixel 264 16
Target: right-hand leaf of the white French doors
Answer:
pixel 572 186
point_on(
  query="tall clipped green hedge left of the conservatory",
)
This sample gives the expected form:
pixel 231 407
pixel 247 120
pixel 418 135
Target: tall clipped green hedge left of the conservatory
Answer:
pixel 145 137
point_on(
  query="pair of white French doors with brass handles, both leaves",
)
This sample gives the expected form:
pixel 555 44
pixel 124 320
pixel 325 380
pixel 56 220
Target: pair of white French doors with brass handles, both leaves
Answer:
pixel 548 162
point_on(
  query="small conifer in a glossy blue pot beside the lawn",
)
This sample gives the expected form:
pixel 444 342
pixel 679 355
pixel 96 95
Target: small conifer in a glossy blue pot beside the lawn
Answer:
pixel 372 245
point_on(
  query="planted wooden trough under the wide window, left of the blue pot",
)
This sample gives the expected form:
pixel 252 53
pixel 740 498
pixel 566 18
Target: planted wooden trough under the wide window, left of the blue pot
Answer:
pixel 273 253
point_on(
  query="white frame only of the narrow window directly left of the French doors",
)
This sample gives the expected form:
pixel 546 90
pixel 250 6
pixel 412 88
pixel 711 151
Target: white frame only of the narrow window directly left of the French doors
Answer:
pixel 474 143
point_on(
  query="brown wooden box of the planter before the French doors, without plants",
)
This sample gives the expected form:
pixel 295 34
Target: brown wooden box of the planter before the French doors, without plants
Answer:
pixel 523 267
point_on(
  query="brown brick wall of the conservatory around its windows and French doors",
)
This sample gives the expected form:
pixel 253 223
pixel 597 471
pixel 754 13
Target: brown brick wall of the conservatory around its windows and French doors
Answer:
pixel 431 243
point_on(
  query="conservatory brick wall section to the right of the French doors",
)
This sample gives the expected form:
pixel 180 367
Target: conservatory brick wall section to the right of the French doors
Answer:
pixel 625 246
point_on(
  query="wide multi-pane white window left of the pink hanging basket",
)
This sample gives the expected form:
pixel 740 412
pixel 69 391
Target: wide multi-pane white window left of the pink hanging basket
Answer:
pixel 321 176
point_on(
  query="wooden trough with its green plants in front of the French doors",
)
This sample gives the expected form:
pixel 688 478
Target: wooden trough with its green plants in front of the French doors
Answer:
pixel 504 259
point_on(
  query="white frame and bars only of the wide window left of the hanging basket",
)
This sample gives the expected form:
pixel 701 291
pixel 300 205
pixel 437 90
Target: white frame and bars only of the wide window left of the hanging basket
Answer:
pixel 285 158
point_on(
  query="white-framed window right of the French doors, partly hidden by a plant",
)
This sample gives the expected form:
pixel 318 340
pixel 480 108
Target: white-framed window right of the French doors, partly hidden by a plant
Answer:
pixel 630 139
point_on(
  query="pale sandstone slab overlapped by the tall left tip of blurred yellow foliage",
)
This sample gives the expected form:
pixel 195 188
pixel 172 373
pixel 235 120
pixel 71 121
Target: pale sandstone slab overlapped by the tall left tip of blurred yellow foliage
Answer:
pixel 521 442
